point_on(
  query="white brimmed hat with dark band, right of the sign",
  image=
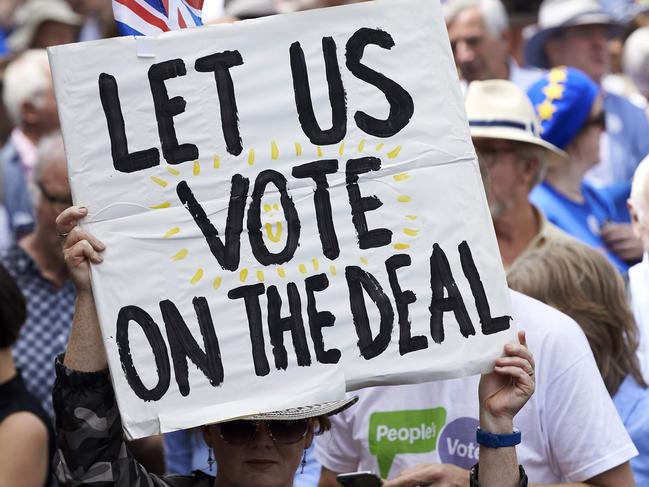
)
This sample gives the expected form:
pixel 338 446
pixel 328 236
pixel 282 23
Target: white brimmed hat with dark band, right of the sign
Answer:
pixel 498 109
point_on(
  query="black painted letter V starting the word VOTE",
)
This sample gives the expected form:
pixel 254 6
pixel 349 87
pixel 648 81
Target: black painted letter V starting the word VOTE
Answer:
pixel 227 254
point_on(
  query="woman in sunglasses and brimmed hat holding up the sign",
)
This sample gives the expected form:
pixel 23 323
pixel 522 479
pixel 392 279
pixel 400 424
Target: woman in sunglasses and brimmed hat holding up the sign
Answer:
pixel 258 451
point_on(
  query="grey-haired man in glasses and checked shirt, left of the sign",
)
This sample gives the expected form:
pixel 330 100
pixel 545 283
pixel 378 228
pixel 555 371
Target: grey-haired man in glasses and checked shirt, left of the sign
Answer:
pixel 36 262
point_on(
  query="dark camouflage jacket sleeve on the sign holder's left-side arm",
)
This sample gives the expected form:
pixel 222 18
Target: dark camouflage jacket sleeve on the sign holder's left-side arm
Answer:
pixel 91 450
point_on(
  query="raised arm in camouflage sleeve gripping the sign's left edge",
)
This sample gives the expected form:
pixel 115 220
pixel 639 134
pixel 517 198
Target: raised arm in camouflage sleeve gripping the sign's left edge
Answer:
pixel 90 442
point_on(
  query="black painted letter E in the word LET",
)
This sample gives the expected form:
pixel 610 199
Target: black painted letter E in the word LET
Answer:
pixel 167 108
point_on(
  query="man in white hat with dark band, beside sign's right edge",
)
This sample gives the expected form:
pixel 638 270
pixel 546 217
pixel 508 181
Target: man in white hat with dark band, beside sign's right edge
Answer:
pixel 512 155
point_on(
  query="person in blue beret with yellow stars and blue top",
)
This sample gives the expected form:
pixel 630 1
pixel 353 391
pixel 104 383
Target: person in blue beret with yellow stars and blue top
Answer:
pixel 570 107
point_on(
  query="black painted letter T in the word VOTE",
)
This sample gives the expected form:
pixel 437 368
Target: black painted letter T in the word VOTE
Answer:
pixel 318 171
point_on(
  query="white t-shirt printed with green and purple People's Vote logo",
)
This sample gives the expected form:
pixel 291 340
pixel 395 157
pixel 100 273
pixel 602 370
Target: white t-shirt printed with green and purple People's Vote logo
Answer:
pixel 571 430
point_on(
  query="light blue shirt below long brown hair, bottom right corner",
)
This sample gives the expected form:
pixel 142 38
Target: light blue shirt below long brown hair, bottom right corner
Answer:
pixel 632 403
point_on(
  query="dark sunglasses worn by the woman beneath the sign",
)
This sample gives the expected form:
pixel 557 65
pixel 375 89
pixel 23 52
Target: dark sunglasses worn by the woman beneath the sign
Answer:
pixel 241 431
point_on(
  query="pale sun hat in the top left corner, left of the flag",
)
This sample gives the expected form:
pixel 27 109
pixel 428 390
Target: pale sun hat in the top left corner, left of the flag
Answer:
pixel 32 14
